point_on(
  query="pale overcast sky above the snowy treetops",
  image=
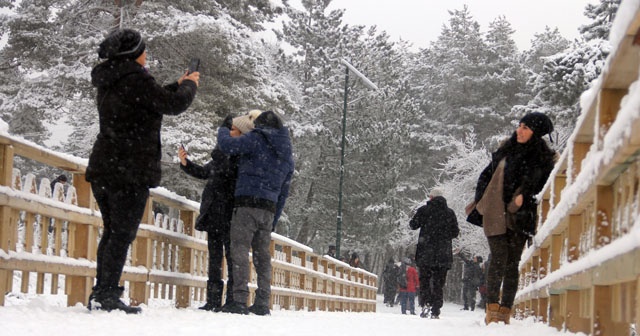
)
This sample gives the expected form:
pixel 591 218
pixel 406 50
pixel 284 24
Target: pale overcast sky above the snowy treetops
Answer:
pixel 421 21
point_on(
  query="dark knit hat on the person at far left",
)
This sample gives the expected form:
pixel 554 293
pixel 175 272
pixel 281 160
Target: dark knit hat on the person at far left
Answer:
pixel 122 44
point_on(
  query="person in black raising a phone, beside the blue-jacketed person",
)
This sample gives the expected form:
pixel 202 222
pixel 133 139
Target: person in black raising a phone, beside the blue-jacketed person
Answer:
pixel 216 208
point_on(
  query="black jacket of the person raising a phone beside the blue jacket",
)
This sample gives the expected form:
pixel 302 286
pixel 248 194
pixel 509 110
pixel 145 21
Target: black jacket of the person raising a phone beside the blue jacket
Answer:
pixel 216 205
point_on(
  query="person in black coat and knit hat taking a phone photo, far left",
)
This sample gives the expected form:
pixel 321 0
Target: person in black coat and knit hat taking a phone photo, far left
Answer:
pixel 125 159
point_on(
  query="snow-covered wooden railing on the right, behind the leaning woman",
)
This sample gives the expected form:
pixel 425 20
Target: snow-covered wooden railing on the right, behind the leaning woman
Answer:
pixel 582 273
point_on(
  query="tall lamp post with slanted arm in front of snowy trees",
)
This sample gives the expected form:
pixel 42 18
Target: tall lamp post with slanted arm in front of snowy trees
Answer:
pixel 369 84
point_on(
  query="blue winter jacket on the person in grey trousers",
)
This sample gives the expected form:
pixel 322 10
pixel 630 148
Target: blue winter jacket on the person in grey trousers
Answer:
pixel 265 166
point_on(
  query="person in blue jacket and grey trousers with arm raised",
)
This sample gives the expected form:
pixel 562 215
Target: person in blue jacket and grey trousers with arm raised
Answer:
pixel 265 168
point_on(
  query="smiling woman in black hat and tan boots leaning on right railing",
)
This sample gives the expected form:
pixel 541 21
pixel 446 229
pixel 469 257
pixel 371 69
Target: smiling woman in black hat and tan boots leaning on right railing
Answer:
pixel 505 196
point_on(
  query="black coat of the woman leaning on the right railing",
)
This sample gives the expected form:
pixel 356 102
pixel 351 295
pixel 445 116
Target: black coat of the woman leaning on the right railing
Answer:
pixel 526 171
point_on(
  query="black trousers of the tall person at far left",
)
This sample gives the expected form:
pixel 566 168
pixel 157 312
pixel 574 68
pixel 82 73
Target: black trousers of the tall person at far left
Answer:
pixel 122 207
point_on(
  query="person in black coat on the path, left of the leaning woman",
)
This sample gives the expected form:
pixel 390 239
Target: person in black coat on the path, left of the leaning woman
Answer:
pixel 438 226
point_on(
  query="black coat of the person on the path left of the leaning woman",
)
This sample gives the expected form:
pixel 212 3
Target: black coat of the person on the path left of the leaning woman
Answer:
pixel 438 226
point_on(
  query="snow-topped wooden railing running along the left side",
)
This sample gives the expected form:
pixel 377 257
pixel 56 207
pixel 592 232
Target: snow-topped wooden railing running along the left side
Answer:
pixel 48 243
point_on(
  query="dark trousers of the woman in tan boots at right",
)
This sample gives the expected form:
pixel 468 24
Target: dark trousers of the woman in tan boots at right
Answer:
pixel 506 250
